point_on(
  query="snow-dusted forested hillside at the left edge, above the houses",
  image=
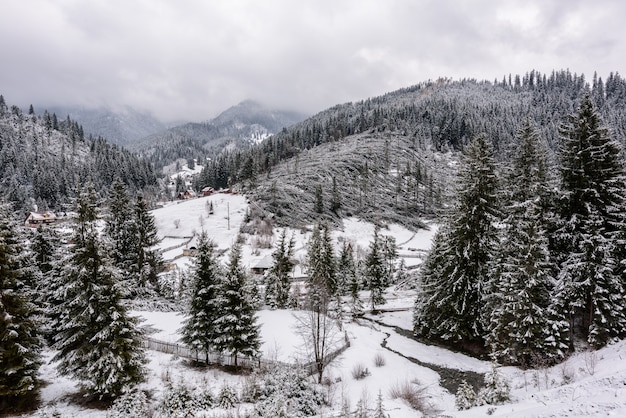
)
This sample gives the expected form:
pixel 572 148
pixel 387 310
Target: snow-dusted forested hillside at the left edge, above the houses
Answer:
pixel 44 161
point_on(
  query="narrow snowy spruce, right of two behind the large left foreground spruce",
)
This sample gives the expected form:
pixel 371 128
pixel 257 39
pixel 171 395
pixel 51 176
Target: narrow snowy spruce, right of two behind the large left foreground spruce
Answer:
pixel 147 260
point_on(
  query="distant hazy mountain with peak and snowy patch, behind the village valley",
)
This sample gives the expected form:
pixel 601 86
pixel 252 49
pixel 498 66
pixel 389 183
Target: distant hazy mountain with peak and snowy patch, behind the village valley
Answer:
pixel 238 127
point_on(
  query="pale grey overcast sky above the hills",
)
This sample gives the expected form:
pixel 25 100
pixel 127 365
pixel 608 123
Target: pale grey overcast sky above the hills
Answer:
pixel 192 59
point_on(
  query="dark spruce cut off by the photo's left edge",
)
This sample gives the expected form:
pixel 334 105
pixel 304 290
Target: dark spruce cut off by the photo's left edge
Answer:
pixel 20 344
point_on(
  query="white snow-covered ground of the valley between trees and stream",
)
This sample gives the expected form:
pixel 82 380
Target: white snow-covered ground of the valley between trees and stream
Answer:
pixel 587 384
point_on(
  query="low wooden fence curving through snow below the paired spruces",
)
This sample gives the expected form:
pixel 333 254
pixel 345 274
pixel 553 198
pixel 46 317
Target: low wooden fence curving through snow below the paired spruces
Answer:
pixel 222 359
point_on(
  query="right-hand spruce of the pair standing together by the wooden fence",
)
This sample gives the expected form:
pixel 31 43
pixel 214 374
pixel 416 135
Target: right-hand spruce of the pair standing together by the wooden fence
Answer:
pixel 237 325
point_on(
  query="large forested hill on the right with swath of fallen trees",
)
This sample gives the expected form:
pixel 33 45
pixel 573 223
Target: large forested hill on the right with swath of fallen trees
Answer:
pixel 383 155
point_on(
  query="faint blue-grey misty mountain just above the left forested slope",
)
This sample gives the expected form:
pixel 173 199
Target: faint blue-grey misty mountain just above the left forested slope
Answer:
pixel 123 127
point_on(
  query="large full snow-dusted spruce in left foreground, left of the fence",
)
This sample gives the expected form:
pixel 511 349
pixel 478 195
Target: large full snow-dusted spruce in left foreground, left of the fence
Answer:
pixel 98 341
